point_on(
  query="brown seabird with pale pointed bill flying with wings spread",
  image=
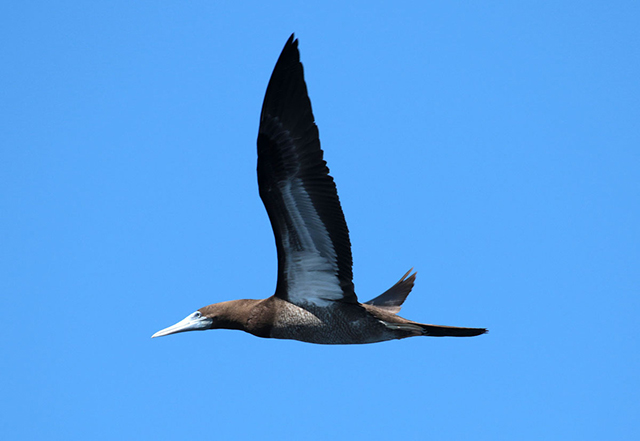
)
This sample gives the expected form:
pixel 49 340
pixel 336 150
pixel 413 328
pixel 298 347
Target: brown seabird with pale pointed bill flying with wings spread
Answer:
pixel 314 299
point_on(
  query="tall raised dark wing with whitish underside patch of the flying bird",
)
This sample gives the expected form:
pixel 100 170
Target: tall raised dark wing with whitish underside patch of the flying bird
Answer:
pixel 314 251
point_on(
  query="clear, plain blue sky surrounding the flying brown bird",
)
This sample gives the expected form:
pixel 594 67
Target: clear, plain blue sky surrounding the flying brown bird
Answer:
pixel 493 147
